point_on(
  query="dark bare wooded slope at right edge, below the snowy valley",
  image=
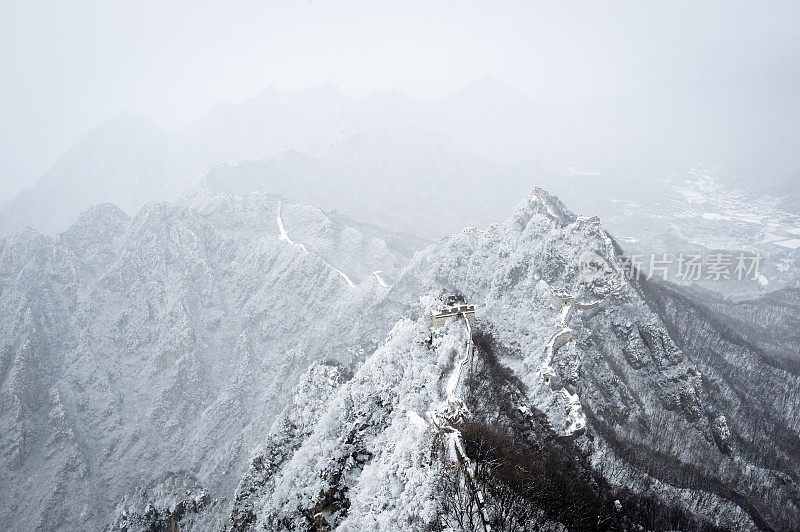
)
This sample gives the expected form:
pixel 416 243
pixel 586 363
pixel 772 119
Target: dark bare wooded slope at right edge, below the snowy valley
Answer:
pixel 747 354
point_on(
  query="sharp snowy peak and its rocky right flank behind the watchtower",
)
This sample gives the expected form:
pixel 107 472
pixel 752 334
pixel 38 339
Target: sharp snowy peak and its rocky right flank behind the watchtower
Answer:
pixel 646 399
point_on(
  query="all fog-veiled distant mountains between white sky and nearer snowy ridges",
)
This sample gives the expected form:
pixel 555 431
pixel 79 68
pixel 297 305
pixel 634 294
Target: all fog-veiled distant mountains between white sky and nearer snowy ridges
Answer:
pixel 488 138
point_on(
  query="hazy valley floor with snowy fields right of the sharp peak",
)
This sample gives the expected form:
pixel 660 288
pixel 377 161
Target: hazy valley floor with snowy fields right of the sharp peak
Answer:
pixel 698 214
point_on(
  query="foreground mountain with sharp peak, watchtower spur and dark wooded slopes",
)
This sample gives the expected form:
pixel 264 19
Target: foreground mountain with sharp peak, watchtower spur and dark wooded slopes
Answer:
pixel 647 417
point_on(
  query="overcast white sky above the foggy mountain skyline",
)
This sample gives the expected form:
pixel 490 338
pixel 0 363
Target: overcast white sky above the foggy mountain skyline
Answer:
pixel 67 66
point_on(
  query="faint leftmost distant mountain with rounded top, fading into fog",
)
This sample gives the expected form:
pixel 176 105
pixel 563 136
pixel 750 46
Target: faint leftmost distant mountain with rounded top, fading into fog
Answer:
pixel 126 161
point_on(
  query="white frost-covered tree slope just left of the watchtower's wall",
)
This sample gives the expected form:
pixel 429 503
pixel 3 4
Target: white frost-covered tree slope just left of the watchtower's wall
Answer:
pixel 365 421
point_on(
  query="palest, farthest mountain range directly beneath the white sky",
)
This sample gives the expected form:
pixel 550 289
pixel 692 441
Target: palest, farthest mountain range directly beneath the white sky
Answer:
pixel 624 135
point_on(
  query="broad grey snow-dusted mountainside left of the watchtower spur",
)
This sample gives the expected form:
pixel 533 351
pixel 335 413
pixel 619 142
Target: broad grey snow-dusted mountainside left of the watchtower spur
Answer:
pixel 166 342
